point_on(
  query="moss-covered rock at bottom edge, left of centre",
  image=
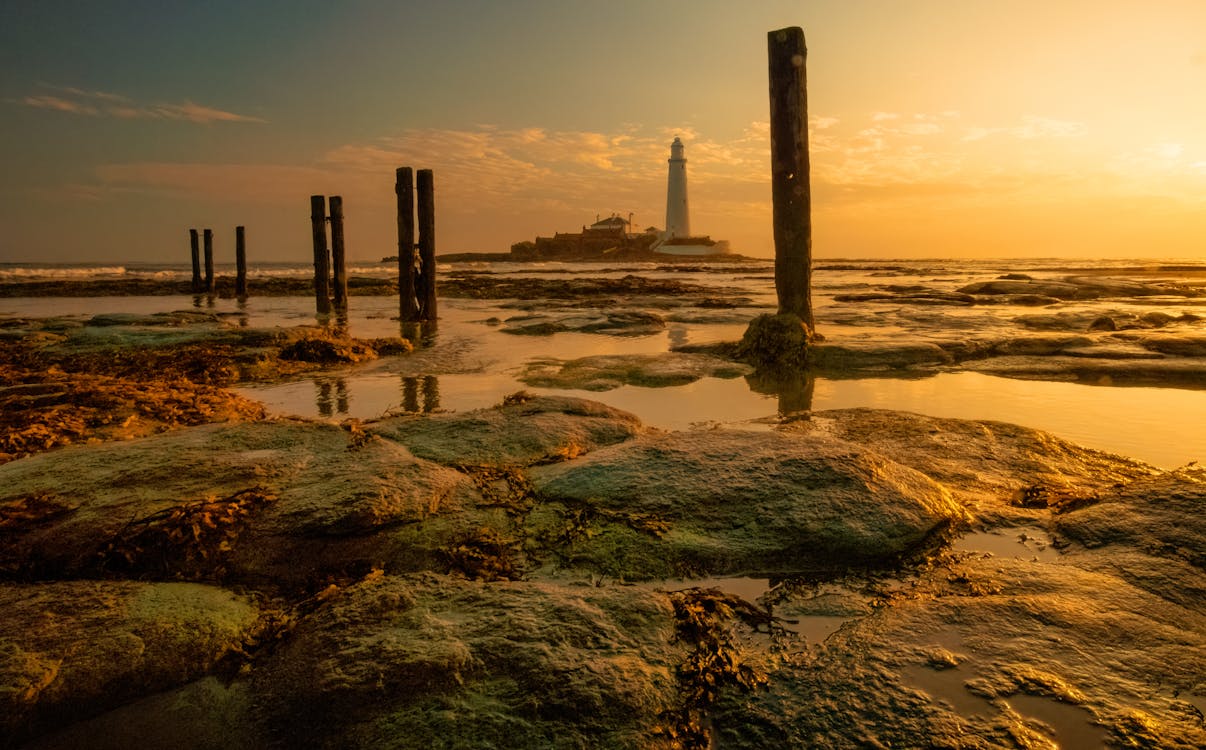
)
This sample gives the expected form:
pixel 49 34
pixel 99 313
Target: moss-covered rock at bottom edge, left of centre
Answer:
pixel 431 661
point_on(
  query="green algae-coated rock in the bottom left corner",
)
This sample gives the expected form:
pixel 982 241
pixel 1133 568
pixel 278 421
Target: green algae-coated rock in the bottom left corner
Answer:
pixel 72 649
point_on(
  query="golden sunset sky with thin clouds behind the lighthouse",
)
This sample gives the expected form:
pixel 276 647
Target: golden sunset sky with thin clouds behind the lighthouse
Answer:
pixel 939 128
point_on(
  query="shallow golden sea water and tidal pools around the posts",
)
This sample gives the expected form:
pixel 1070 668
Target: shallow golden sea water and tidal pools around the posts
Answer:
pixel 473 358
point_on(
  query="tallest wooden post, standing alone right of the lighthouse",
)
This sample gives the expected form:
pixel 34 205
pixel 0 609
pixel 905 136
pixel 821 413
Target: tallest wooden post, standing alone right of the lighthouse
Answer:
pixel 789 173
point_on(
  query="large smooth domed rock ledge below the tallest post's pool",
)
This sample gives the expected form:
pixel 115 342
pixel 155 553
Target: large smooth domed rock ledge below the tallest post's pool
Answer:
pixel 737 502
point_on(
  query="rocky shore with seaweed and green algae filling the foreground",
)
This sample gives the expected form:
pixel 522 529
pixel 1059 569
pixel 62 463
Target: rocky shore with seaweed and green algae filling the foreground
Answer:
pixel 180 570
